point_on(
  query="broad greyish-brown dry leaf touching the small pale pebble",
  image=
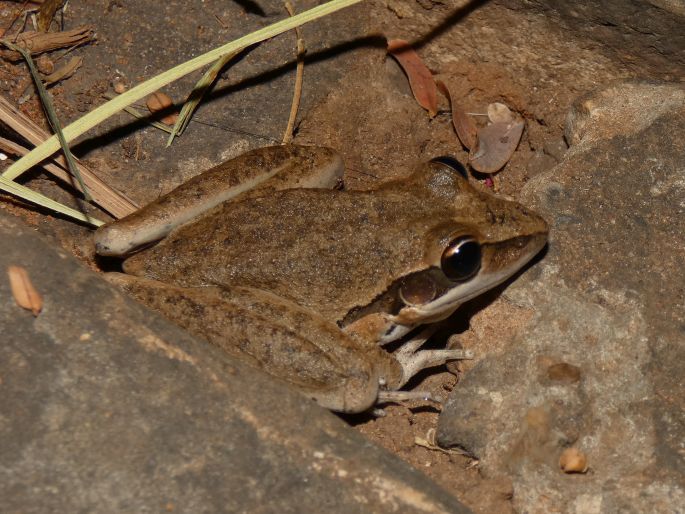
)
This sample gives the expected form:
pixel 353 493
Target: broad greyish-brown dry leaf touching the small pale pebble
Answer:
pixel 496 144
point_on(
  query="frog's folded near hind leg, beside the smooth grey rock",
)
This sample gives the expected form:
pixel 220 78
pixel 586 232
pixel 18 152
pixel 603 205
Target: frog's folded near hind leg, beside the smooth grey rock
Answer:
pixel 273 334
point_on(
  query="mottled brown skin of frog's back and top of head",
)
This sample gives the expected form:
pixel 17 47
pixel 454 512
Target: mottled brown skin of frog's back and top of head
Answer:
pixel 334 251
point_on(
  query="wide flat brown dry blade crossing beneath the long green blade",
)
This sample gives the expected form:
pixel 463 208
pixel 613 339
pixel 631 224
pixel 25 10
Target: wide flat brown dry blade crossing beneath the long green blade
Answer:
pixel 111 200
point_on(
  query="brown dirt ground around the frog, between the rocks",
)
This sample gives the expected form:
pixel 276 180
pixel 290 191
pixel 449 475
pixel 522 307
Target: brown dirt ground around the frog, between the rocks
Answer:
pixel 485 51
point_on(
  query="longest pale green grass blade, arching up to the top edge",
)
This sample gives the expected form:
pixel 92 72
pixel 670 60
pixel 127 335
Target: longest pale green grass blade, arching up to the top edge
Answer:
pixel 103 112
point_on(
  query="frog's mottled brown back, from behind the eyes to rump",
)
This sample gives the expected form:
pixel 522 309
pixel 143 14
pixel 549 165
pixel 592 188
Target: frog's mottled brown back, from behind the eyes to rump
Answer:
pixel 327 250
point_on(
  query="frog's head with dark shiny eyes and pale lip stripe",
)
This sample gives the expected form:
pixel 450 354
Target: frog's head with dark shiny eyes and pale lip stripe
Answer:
pixel 473 242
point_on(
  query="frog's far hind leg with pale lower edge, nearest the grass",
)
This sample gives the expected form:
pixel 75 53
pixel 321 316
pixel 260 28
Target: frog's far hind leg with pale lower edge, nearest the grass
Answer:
pixel 275 167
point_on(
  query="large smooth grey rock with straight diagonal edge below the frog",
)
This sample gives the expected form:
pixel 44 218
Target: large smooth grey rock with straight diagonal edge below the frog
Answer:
pixel 106 407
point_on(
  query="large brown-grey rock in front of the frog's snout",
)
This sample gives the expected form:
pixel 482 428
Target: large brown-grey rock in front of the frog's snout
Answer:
pixel 600 366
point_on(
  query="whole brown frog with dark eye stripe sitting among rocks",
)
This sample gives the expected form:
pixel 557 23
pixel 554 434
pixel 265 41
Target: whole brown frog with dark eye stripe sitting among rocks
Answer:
pixel 268 258
